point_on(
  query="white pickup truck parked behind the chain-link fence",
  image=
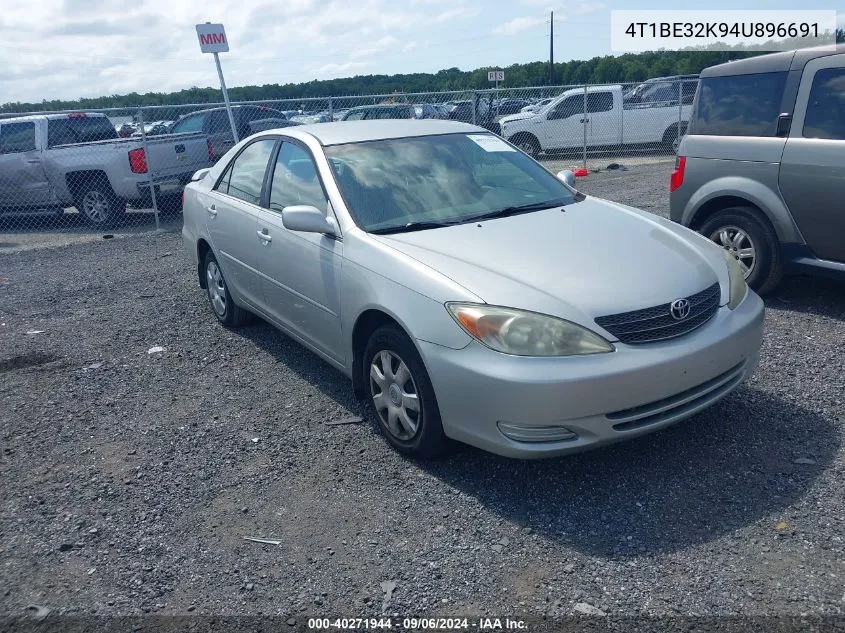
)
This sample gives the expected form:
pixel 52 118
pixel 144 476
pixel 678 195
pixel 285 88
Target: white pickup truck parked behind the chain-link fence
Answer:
pixel 609 120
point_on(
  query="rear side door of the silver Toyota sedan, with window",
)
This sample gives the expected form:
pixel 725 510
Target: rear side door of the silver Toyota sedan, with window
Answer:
pixel 232 209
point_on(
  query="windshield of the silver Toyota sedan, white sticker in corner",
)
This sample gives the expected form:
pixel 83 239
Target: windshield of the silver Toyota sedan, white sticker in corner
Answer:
pixel 409 183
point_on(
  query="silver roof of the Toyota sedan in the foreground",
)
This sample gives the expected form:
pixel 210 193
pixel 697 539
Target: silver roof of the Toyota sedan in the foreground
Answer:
pixel 380 129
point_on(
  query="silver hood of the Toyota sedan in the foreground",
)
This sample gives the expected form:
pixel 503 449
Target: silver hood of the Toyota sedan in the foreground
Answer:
pixel 593 258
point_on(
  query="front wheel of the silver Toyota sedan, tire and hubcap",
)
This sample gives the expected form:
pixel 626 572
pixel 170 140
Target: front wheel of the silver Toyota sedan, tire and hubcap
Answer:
pixel 417 433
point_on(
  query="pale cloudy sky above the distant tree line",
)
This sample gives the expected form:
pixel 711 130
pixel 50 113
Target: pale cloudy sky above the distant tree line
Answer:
pixel 66 49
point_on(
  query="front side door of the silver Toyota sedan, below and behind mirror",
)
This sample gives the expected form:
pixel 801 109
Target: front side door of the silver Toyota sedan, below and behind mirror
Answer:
pixel 301 270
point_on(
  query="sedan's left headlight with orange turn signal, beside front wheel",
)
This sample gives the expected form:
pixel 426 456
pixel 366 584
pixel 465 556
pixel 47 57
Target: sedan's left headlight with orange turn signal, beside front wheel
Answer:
pixel 523 333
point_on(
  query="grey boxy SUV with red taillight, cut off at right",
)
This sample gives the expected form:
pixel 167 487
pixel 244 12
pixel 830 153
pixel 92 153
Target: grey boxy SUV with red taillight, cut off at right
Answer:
pixel 761 171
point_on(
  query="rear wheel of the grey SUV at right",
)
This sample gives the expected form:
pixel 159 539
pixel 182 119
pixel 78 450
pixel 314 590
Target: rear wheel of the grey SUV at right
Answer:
pixel 736 229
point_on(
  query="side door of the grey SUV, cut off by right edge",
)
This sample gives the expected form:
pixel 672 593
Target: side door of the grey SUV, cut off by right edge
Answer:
pixel 812 171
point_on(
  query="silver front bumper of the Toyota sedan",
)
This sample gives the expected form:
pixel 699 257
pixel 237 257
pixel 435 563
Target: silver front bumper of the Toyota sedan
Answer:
pixel 602 398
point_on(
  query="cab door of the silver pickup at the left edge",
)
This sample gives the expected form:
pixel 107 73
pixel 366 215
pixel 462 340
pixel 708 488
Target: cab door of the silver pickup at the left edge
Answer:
pixel 23 182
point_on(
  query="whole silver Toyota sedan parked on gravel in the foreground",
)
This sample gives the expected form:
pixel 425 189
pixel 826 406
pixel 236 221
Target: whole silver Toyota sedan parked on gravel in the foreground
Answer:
pixel 468 293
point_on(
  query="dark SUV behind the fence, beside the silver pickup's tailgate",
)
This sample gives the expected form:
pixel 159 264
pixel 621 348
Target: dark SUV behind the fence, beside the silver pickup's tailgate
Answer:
pixel 215 123
